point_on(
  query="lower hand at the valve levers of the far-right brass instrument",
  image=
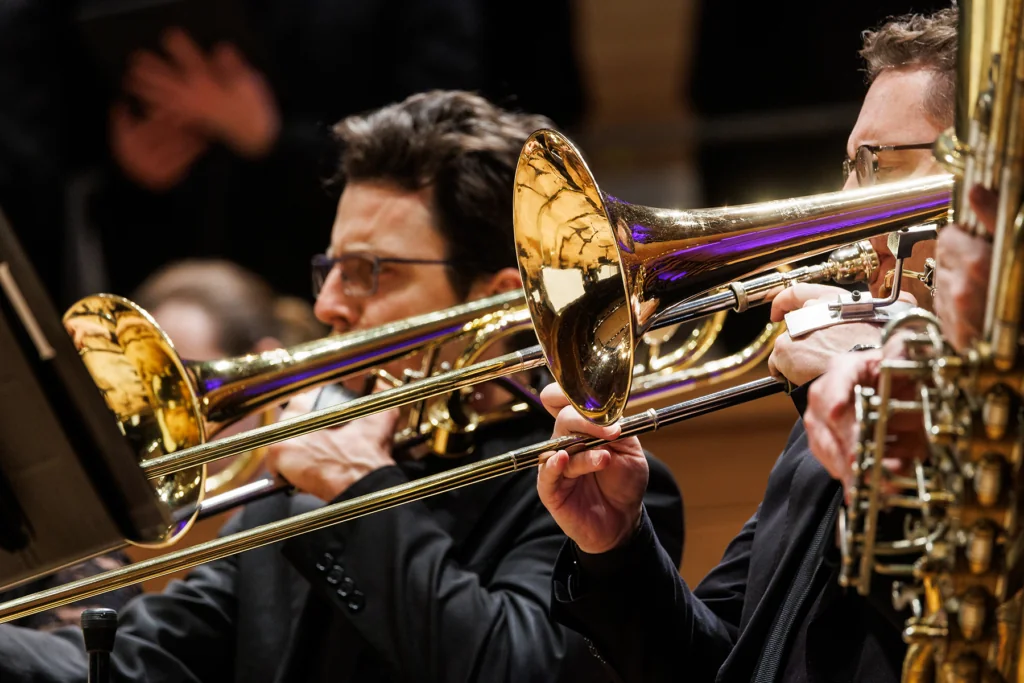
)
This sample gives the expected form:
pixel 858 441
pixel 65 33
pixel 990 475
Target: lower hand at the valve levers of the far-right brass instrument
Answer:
pixel 833 433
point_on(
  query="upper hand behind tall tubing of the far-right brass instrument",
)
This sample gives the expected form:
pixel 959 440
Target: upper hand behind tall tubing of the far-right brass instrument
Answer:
pixel 963 265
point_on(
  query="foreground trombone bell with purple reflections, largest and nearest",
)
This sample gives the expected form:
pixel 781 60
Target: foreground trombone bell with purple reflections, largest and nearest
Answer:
pixel 600 271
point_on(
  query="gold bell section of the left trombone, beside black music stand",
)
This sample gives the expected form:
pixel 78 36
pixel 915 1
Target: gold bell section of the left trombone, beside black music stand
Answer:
pixel 164 405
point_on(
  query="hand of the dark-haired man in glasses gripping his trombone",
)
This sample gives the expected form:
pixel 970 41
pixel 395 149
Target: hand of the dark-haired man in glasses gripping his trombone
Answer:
pixel 328 462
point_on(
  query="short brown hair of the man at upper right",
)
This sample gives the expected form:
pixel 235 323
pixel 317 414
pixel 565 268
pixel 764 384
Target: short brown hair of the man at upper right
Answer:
pixel 923 41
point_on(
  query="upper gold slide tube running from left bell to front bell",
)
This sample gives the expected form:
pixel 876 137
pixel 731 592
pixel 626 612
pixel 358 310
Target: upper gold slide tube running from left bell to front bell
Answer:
pixel 337 415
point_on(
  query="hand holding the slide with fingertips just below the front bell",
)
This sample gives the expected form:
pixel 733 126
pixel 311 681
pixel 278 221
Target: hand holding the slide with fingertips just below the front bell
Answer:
pixel 595 496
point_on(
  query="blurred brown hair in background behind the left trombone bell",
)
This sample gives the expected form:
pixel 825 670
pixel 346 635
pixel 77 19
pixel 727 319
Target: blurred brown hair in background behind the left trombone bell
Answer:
pixel 243 307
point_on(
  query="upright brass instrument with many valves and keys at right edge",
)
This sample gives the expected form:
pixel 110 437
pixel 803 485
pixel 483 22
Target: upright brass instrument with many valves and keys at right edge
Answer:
pixel 958 564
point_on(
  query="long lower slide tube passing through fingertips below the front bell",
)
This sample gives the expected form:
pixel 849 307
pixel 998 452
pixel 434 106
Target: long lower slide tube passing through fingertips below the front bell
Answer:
pixel 371 503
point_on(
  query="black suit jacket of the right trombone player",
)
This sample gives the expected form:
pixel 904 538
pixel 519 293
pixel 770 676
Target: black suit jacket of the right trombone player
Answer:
pixel 649 626
